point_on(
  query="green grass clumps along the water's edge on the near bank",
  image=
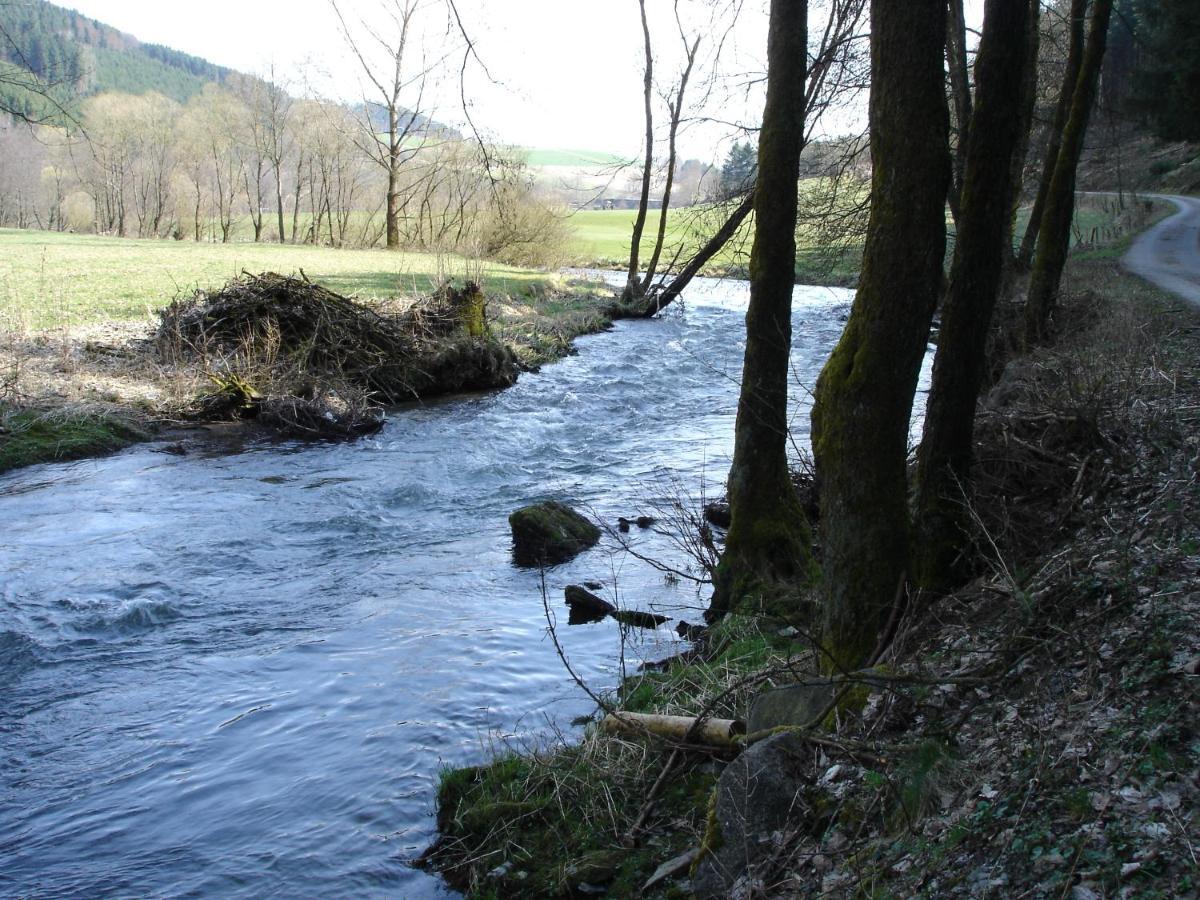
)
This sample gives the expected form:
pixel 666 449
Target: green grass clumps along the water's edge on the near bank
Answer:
pixel 544 823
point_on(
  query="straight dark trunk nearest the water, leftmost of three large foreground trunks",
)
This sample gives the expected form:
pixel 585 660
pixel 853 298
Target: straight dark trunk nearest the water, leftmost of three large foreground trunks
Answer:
pixel 769 544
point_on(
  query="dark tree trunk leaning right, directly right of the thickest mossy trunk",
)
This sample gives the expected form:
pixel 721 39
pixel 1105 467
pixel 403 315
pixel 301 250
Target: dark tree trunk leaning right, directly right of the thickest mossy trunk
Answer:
pixel 980 256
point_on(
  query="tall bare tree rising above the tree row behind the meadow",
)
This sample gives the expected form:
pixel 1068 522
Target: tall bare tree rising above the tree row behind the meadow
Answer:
pixel 394 147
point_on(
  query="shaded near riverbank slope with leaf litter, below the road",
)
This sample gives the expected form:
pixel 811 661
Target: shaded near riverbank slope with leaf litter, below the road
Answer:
pixel 1030 734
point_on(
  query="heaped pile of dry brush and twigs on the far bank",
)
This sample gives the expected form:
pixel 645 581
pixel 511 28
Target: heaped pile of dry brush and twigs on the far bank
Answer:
pixel 310 363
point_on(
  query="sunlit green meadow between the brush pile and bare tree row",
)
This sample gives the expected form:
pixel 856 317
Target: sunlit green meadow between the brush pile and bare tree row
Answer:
pixel 49 279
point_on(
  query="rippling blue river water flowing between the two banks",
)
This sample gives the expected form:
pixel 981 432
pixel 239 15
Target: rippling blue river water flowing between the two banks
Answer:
pixel 239 675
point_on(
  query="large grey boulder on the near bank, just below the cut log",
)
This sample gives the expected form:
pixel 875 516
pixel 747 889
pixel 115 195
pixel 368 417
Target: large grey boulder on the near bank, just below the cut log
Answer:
pixel 761 800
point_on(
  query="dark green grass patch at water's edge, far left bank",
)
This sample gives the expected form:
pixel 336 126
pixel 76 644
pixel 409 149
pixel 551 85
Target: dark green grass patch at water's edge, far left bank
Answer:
pixel 34 436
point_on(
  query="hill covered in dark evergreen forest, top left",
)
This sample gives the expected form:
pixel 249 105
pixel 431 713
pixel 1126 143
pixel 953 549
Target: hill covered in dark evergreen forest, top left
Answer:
pixel 63 46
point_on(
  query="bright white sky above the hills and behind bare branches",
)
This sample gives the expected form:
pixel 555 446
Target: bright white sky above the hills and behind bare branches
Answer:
pixel 569 71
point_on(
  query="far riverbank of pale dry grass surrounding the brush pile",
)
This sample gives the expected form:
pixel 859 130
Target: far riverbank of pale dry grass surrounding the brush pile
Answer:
pixel 77 392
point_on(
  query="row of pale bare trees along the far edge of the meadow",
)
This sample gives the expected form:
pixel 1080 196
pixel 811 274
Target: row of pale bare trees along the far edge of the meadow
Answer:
pixel 250 161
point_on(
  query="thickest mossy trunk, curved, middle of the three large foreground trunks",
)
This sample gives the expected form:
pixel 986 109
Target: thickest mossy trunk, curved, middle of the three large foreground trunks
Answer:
pixel 865 394
